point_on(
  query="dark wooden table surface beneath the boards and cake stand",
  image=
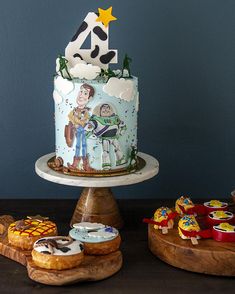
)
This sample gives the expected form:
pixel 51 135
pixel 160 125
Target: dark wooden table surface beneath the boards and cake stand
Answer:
pixel 142 272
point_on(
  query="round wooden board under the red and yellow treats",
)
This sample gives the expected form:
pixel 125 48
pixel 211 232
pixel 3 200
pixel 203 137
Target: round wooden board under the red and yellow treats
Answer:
pixel 208 257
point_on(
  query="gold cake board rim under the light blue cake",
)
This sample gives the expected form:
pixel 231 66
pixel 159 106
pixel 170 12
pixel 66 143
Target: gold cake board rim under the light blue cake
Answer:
pixel 96 174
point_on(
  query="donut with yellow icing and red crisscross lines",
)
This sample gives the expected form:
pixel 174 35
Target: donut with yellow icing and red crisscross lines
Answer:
pixel 24 233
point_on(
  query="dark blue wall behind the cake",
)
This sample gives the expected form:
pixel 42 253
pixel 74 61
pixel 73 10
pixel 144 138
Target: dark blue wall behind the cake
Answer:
pixel 184 55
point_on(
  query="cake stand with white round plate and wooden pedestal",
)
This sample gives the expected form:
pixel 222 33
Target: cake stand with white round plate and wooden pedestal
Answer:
pixel 96 203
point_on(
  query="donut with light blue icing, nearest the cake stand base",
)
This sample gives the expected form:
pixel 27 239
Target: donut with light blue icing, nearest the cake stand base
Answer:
pixel 97 238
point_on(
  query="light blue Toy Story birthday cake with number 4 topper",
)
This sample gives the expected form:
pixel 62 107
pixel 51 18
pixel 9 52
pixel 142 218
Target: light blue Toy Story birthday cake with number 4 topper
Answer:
pixel 95 107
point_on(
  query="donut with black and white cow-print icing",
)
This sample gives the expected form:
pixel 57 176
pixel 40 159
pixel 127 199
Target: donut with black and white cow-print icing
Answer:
pixel 57 253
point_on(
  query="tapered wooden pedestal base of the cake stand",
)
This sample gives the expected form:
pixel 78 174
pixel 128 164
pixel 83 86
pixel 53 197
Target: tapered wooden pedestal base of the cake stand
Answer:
pixel 97 205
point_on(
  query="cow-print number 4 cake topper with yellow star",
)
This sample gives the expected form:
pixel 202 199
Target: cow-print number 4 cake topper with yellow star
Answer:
pixel 95 25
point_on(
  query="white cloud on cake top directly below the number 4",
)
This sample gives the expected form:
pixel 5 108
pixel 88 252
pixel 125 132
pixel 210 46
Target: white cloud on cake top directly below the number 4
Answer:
pixel 85 71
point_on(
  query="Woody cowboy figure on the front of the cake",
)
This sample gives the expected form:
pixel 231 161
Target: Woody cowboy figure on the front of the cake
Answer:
pixel 78 119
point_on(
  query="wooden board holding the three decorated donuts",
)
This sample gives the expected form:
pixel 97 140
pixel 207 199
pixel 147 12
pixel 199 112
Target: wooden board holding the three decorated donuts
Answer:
pixel 93 268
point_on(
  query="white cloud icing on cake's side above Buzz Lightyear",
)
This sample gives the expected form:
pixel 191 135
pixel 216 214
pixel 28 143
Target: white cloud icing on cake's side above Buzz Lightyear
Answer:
pixel 120 88
